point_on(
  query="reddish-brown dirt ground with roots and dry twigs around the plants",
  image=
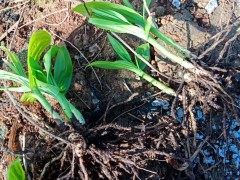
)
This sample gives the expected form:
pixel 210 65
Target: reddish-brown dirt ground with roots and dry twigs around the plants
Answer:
pixel 132 130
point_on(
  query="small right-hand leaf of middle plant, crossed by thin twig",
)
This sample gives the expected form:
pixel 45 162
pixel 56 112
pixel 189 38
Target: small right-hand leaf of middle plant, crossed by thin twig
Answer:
pixel 144 51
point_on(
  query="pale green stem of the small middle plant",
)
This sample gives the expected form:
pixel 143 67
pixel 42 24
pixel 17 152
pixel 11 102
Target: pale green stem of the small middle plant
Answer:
pixel 156 83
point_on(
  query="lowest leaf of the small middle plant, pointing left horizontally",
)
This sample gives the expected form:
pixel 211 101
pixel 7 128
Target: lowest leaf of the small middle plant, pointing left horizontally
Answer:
pixel 114 65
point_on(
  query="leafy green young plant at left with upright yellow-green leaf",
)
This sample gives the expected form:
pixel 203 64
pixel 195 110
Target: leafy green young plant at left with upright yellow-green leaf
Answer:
pixel 53 81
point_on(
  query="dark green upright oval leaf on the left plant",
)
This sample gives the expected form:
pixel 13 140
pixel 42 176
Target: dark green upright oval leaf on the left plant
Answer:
pixel 63 69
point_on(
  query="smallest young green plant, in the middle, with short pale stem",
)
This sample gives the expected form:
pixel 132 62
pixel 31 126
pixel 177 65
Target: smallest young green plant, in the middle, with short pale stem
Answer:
pixel 127 63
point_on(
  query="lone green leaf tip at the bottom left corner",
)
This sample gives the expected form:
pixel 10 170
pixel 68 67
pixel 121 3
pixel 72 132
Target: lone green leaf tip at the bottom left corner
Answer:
pixel 15 171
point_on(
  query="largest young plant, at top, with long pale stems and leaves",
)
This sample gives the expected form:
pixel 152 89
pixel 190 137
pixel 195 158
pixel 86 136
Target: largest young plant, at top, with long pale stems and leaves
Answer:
pixel 122 19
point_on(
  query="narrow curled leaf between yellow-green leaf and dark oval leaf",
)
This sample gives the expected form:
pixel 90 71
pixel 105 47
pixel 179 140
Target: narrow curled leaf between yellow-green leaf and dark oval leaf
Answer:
pixel 47 60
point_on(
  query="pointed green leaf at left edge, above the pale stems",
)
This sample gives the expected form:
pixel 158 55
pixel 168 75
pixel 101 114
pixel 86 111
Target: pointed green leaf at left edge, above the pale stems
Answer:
pixel 16 65
